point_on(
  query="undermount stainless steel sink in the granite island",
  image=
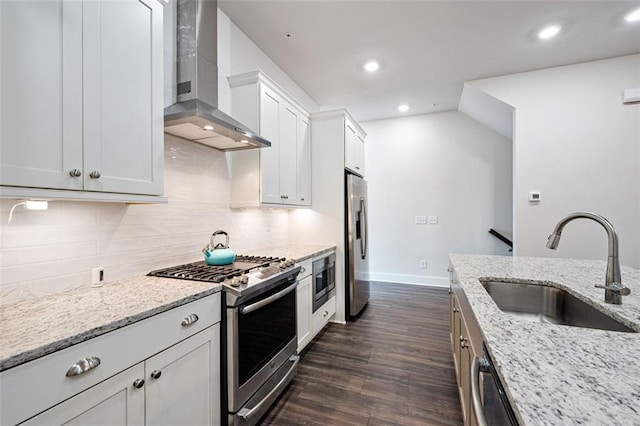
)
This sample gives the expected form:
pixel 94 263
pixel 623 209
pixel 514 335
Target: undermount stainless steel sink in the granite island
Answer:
pixel 550 305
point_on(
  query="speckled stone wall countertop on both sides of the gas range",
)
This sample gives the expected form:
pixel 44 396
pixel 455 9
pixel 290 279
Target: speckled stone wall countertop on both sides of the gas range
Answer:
pixel 33 328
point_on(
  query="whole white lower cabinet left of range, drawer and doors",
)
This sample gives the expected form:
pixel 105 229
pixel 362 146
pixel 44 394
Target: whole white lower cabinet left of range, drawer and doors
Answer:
pixel 161 370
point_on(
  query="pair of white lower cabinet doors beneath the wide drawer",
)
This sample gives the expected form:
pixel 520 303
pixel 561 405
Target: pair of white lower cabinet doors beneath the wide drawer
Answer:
pixel 177 386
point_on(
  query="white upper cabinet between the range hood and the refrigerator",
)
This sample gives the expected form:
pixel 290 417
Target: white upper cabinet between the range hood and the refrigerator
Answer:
pixel 281 174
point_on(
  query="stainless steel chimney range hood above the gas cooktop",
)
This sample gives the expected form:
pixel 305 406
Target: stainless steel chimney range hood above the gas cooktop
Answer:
pixel 196 116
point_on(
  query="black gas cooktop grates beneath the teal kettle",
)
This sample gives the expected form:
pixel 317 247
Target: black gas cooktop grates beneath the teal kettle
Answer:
pixel 200 271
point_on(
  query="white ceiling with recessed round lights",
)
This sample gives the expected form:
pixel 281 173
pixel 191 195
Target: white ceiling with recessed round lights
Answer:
pixel 428 48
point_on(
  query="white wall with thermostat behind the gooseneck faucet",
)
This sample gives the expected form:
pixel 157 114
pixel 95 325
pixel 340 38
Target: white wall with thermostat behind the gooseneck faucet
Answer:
pixel 579 145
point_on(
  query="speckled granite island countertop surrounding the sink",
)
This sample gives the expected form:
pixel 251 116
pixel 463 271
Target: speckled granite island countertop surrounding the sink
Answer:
pixel 559 374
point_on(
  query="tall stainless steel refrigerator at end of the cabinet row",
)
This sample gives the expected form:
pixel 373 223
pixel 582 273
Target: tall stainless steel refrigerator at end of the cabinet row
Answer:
pixel 357 250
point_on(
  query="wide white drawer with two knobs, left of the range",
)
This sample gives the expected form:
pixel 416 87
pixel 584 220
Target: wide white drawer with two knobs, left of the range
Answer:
pixel 30 388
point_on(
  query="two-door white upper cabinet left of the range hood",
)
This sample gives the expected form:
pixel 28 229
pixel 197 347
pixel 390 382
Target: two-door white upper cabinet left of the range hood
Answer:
pixel 82 104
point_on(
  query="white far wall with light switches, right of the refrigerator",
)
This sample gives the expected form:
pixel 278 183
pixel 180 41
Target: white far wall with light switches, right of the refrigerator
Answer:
pixel 446 165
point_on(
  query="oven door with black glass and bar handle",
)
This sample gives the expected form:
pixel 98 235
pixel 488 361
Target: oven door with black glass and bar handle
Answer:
pixel 261 338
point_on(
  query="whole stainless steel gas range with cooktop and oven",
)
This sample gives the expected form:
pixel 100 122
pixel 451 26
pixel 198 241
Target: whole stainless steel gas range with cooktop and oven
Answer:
pixel 260 329
